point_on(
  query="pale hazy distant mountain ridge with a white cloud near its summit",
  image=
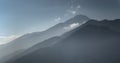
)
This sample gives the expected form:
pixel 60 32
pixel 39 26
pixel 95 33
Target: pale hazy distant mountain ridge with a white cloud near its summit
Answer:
pixel 28 40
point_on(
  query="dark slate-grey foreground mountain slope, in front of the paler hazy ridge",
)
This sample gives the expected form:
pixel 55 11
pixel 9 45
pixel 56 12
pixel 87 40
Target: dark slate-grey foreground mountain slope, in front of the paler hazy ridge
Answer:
pixel 93 42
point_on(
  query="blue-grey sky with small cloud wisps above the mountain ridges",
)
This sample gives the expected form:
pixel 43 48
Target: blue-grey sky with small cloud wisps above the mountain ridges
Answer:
pixel 23 16
